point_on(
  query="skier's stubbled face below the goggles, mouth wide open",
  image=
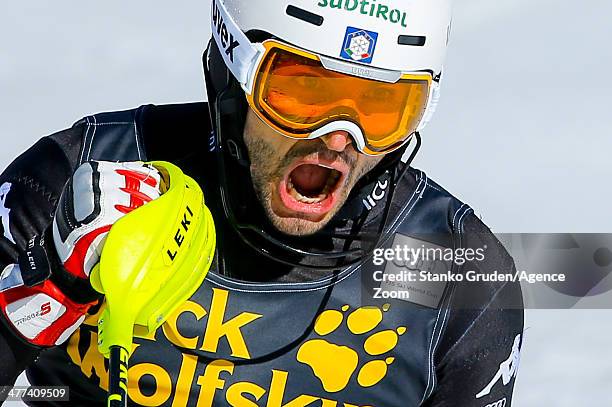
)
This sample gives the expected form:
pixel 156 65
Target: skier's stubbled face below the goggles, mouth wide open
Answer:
pixel 302 183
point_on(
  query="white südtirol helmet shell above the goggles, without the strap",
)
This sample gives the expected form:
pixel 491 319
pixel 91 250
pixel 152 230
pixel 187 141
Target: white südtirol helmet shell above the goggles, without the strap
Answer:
pixel 412 35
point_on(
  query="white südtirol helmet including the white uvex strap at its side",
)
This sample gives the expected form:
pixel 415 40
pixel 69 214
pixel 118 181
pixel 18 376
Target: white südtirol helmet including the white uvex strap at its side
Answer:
pixel 391 35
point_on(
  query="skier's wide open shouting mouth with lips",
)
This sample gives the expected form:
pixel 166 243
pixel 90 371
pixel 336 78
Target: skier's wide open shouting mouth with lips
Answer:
pixel 310 185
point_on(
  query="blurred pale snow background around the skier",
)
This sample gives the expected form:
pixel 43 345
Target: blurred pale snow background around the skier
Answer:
pixel 524 102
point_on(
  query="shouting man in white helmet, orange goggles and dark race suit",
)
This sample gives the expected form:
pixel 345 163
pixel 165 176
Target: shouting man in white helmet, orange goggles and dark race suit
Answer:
pixel 312 107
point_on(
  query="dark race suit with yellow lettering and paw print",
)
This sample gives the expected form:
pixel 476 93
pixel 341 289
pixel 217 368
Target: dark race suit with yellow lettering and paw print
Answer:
pixel 252 335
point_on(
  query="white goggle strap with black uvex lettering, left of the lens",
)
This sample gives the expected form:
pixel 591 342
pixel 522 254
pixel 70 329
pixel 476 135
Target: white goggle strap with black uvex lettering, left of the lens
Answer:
pixel 235 47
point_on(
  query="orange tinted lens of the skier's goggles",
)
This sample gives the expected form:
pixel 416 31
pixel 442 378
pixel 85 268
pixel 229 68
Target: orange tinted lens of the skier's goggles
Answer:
pixel 296 94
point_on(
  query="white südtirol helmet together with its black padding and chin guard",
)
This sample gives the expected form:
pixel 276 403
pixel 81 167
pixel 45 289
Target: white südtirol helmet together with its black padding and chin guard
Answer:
pixel 372 39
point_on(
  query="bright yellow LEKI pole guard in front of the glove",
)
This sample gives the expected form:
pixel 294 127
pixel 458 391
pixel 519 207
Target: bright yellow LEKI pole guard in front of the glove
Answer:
pixel 153 260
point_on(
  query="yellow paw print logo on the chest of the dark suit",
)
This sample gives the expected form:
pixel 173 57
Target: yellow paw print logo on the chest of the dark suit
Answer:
pixel 335 364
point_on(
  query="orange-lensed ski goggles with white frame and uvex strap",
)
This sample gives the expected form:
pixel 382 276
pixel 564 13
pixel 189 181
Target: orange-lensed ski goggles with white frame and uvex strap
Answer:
pixel 303 95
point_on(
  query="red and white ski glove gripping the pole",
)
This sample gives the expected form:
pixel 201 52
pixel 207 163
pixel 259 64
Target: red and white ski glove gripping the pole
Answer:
pixel 46 296
